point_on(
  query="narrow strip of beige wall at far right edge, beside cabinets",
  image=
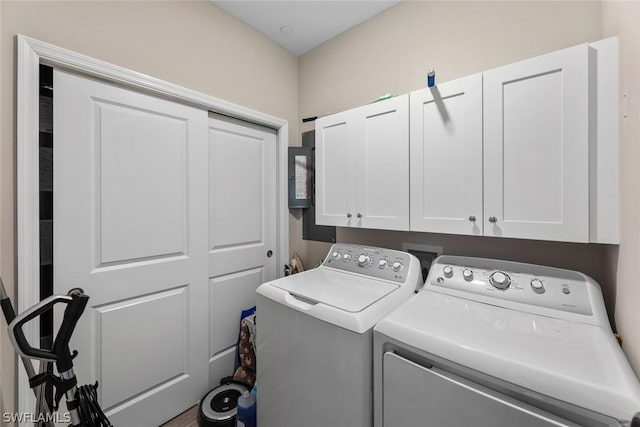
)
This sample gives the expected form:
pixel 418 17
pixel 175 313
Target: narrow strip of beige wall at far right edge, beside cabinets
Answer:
pixel 623 19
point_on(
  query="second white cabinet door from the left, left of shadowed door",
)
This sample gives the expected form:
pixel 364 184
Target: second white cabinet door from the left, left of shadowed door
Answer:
pixel 382 165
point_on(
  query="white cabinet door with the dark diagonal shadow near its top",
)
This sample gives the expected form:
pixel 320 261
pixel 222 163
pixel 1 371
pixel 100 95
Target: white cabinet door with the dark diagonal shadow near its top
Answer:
pixel 446 157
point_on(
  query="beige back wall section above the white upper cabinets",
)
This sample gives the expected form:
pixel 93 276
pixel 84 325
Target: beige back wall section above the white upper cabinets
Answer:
pixel 392 51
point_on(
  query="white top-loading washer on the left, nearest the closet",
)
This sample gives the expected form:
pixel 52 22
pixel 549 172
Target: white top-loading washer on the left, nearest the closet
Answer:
pixel 315 336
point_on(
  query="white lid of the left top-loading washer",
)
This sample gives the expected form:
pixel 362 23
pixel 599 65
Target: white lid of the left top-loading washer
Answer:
pixel 344 291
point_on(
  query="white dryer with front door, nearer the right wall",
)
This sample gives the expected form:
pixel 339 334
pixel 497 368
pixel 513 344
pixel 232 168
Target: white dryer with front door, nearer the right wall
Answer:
pixel 490 343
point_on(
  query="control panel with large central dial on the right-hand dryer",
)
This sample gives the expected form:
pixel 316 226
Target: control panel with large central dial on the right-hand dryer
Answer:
pixel 534 285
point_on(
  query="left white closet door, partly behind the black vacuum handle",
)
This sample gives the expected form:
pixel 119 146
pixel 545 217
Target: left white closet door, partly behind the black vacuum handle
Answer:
pixel 131 215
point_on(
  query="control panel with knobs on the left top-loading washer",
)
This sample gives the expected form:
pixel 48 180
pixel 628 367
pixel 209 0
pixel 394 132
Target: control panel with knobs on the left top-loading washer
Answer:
pixel 387 264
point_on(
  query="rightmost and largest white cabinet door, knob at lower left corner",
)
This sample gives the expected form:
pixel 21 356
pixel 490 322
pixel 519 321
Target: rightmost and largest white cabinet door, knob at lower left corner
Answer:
pixel 536 142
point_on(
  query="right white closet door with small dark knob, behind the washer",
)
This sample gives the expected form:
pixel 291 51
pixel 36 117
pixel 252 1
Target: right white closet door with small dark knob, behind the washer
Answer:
pixel 242 228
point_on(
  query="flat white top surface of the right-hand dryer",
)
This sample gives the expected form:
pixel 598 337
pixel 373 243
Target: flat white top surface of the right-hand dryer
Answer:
pixel 569 361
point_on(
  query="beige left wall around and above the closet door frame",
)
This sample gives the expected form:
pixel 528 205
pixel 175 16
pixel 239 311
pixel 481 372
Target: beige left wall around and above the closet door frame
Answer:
pixel 190 43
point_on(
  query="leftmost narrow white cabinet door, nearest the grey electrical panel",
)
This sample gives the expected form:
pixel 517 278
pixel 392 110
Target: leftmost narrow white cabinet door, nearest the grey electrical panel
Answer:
pixel 335 170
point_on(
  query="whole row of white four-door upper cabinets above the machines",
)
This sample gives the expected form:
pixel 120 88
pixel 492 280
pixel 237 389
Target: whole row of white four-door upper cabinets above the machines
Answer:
pixel 528 150
